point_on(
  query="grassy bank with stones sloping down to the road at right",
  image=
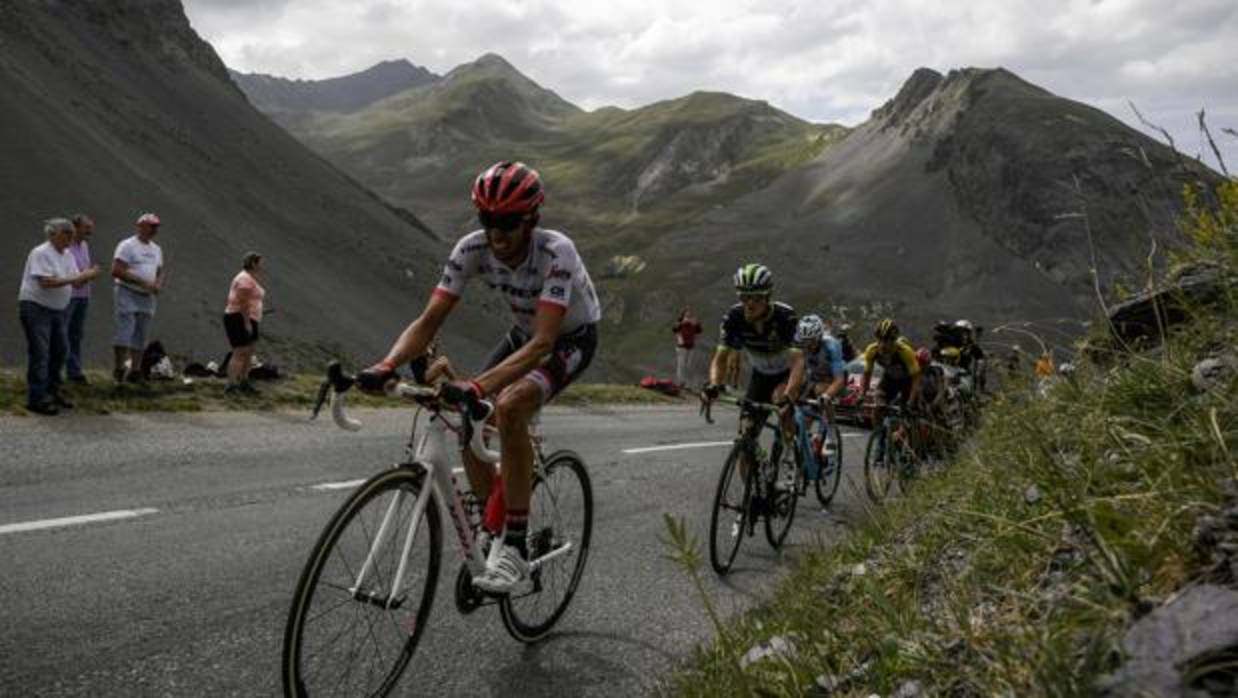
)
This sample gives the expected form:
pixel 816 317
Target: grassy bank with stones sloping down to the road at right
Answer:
pixel 1016 570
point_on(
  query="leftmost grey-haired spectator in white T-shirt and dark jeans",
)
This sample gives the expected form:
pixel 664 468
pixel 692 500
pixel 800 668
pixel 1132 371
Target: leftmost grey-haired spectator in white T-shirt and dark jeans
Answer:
pixel 43 300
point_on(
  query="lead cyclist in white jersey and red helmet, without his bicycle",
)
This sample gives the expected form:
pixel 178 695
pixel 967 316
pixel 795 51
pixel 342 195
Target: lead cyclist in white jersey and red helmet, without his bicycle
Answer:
pixel 555 311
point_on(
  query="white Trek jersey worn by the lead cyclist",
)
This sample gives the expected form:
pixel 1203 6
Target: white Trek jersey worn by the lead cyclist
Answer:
pixel 553 274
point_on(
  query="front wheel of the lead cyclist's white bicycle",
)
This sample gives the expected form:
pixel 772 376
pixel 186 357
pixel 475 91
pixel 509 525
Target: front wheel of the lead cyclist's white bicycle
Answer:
pixel 352 628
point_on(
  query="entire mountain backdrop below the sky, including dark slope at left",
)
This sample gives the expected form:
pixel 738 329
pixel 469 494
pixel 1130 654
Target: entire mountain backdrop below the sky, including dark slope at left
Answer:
pixel 970 194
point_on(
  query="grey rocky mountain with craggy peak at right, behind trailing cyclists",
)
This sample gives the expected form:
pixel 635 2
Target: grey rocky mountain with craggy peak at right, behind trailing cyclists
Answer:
pixel 970 195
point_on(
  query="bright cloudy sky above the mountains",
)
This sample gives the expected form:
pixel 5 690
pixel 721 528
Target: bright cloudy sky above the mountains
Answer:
pixel 820 60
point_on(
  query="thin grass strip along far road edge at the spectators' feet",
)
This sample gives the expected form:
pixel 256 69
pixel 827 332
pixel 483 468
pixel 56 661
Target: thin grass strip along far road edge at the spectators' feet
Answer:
pixel 102 397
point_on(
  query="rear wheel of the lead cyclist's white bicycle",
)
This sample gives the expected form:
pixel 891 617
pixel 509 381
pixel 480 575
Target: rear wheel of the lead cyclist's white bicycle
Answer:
pixel 560 514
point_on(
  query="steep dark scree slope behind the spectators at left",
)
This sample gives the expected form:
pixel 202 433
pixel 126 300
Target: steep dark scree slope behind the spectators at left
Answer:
pixel 121 108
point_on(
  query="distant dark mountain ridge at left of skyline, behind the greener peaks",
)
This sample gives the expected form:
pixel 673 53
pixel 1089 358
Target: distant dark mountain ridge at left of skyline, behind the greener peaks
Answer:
pixel 347 93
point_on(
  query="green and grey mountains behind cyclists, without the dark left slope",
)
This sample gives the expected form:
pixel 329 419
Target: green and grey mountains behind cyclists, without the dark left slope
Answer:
pixel 972 194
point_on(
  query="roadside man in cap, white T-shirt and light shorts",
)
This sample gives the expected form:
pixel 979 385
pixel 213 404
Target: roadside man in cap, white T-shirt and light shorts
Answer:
pixel 138 270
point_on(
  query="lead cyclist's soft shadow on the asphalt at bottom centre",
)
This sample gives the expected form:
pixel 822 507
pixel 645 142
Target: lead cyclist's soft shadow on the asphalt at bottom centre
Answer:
pixel 579 663
